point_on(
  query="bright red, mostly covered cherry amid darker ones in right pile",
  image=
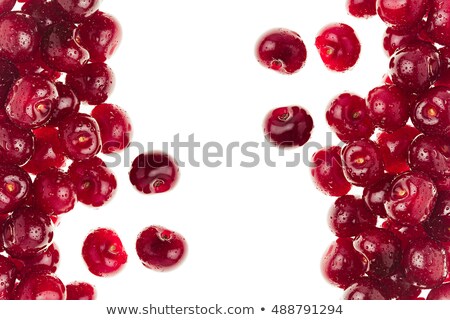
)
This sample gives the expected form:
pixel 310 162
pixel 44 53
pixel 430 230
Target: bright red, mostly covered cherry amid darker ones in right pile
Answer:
pixel 394 148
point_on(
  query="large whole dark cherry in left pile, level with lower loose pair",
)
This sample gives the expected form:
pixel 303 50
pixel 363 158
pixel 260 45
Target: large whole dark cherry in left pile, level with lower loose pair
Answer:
pixel 27 232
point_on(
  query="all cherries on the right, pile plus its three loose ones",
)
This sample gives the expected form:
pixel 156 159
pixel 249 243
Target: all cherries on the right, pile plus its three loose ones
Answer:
pixel 393 239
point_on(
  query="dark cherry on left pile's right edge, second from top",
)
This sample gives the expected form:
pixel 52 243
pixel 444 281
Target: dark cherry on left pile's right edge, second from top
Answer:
pixel 93 83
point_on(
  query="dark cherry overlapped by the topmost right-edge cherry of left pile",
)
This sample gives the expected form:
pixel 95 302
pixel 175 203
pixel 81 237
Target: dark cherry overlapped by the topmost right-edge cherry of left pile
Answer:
pixel 60 50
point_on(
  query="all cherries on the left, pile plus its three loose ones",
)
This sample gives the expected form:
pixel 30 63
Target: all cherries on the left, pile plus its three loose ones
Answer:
pixel 52 61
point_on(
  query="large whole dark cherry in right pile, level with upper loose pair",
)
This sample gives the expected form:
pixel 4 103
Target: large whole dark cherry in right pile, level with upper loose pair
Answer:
pixel 415 67
